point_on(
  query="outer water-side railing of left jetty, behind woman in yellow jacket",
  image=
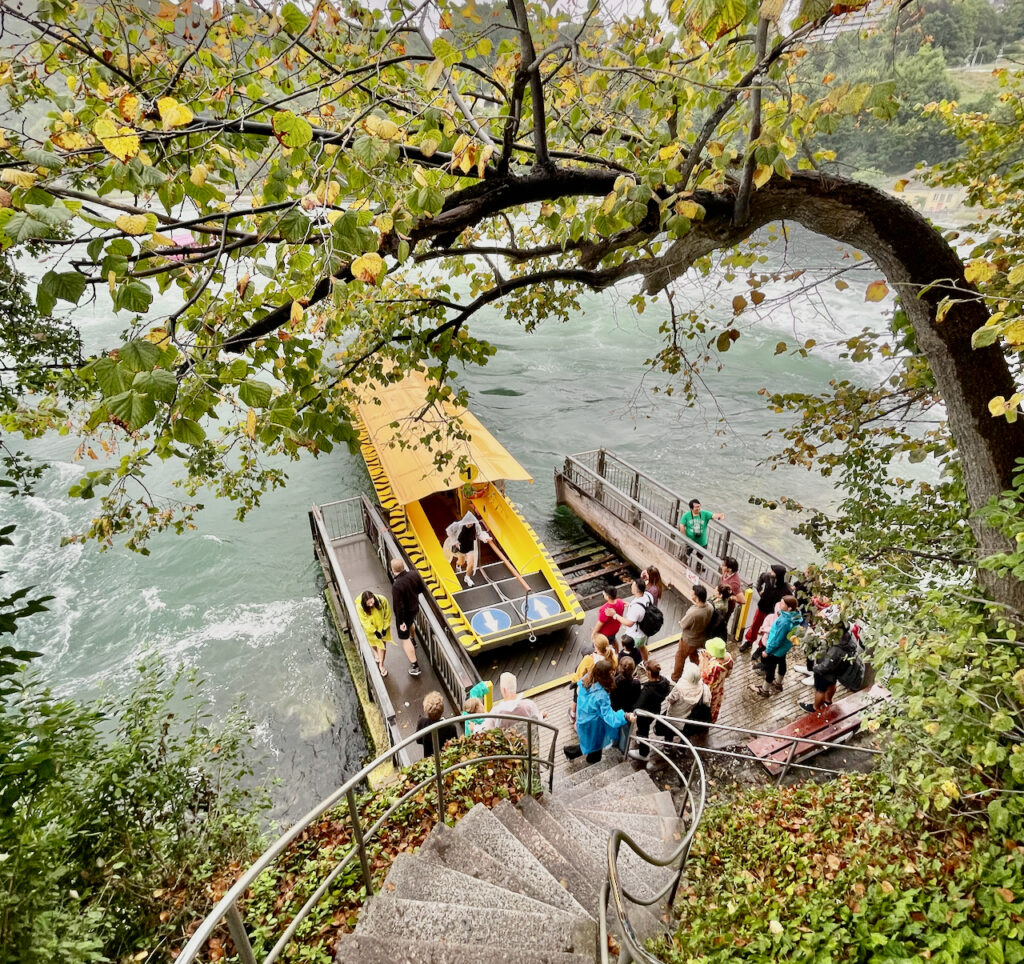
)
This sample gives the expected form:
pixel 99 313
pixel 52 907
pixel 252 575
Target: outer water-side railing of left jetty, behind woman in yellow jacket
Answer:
pixel 339 513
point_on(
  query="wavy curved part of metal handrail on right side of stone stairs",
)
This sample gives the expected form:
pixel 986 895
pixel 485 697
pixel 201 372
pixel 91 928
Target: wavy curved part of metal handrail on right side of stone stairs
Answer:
pixel 614 888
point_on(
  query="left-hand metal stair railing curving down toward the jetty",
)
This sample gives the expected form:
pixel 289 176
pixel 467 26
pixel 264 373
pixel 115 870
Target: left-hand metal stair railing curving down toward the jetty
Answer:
pixel 229 911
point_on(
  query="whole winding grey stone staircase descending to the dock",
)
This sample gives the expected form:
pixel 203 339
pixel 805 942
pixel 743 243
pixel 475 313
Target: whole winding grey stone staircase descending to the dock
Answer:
pixel 521 885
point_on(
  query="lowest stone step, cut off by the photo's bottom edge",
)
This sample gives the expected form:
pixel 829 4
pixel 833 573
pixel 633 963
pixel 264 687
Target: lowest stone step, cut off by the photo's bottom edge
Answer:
pixel 357 949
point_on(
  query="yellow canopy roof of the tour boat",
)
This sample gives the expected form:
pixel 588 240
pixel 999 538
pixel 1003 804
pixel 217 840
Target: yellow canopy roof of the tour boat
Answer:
pixel 392 416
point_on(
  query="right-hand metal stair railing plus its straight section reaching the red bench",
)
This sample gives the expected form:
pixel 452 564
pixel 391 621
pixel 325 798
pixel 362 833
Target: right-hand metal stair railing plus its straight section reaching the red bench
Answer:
pixel 685 759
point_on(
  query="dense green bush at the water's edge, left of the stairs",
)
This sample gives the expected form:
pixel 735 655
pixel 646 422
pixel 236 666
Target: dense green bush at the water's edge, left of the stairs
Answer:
pixel 115 817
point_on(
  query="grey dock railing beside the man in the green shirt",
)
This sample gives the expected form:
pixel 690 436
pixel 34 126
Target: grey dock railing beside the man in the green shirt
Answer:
pixel 655 510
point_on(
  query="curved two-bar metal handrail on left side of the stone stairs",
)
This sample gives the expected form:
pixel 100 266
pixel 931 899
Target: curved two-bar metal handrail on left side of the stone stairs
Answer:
pixel 227 909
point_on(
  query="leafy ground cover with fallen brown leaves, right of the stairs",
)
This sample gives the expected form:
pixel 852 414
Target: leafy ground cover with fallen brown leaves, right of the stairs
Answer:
pixel 846 871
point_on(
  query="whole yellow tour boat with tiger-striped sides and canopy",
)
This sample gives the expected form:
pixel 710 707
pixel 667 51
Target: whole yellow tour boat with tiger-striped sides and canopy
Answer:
pixel 493 579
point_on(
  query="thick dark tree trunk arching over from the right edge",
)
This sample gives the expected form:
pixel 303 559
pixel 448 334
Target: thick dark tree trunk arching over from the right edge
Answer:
pixel 913 256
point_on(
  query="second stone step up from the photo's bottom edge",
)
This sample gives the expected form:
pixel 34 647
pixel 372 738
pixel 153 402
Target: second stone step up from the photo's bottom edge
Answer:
pixel 386 916
